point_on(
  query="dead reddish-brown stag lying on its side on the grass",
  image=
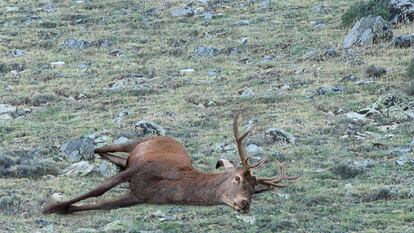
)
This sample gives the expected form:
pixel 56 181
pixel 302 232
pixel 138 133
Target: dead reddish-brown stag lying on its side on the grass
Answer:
pixel 159 171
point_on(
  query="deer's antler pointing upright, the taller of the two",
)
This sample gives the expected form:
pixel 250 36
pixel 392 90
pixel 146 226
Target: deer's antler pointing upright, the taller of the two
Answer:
pixel 239 143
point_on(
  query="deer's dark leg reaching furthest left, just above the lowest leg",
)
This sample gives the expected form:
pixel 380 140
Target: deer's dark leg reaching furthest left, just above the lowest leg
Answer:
pixel 64 207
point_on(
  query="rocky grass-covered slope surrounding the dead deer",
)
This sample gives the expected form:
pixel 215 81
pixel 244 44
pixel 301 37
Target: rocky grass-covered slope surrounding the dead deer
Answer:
pixel 268 59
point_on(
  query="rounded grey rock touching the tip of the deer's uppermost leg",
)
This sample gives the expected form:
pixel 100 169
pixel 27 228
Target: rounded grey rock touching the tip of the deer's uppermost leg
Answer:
pixel 77 149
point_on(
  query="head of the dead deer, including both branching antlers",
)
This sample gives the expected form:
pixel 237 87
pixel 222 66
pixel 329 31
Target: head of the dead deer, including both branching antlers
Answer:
pixel 240 184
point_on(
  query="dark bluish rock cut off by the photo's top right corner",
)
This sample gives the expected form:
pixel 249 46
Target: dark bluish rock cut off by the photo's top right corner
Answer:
pixel 402 11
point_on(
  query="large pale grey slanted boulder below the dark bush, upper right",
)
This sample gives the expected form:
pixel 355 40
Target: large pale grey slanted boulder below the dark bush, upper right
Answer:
pixel 368 30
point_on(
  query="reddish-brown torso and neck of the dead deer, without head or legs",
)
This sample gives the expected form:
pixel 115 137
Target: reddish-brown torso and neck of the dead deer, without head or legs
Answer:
pixel 175 179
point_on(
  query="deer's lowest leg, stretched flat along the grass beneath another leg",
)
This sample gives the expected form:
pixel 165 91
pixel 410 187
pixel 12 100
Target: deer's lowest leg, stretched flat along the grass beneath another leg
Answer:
pixel 124 201
